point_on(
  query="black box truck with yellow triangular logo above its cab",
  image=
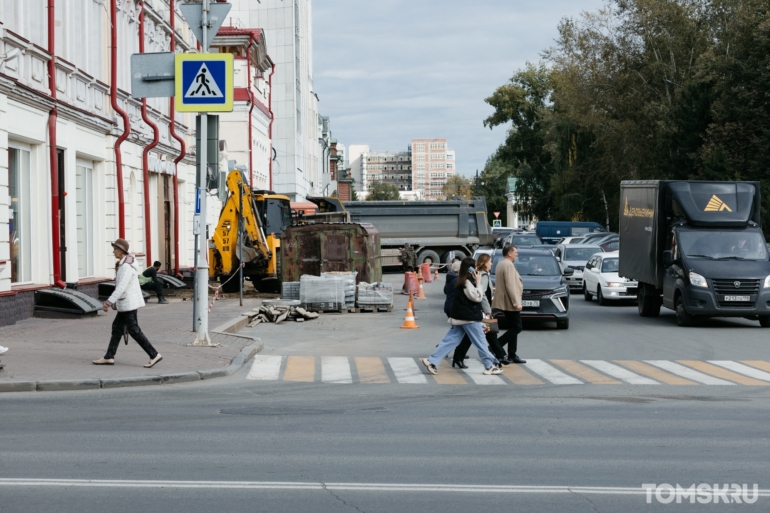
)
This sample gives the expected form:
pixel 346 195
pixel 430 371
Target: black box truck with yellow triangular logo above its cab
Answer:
pixel 695 247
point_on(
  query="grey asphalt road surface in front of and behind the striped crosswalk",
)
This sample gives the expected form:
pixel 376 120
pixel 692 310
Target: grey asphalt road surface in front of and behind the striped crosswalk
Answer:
pixel 239 445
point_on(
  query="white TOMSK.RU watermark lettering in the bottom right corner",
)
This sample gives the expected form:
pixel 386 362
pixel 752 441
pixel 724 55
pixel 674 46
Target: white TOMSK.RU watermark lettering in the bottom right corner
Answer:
pixel 703 493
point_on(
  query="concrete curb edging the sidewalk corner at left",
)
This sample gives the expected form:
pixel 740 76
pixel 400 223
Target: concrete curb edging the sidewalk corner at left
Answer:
pixel 237 363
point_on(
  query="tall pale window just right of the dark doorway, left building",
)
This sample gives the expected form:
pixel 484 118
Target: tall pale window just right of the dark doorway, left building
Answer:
pixel 84 199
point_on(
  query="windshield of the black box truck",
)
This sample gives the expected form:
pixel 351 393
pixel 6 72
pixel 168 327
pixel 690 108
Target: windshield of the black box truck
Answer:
pixel 723 245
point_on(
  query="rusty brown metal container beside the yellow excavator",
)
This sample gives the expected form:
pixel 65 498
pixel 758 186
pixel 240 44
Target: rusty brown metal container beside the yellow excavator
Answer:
pixel 331 247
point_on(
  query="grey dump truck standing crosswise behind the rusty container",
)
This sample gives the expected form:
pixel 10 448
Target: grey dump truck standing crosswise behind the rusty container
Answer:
pixel 434 229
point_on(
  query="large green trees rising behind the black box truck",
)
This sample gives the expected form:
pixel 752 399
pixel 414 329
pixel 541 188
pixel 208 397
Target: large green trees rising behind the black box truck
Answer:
pixel 639 89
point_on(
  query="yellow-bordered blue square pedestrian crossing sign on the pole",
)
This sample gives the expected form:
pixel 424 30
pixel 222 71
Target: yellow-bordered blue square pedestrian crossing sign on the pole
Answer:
pixel 204 82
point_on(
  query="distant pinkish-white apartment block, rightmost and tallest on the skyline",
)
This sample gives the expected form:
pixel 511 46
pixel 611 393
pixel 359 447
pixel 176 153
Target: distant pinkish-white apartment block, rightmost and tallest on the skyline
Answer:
pixel 432 164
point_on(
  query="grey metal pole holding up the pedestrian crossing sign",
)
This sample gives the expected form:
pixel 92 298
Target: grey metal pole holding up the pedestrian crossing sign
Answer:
pixel 202 268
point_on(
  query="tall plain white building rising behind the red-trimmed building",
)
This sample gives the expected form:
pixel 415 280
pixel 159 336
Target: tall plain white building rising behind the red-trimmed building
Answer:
pixel 297 156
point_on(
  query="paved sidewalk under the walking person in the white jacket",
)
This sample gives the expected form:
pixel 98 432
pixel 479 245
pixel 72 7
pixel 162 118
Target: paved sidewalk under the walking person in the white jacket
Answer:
pixel 45 350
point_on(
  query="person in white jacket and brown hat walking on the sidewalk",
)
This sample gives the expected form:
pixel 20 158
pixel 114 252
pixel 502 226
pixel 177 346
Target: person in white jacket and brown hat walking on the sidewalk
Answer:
pixel 127 299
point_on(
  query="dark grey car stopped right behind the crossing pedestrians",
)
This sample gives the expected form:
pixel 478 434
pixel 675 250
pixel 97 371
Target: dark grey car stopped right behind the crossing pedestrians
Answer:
pixel 546 294
